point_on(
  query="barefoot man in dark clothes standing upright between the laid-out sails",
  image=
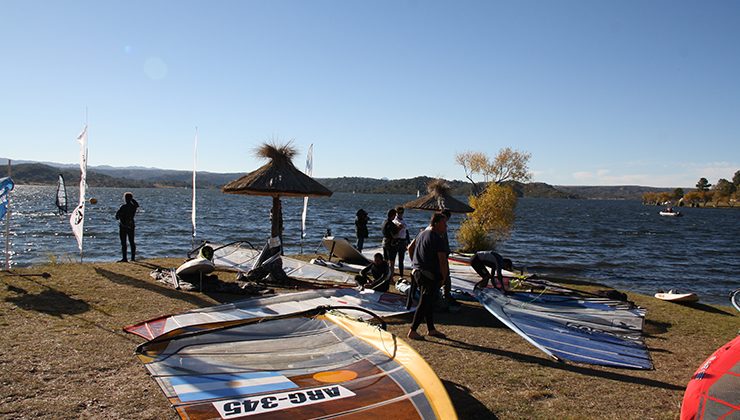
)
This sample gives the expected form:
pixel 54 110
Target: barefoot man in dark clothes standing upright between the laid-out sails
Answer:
pixel 430 270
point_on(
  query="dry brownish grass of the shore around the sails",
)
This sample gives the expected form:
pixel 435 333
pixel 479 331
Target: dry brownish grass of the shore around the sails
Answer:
pixel 63 353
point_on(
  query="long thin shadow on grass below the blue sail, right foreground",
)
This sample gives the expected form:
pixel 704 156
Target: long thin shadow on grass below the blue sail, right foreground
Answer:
pixel 524 358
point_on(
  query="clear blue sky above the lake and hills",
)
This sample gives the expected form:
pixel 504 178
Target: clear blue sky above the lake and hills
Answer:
pixel 599 92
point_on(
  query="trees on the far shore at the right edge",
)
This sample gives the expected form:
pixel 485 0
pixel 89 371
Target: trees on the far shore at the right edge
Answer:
pixel 723 191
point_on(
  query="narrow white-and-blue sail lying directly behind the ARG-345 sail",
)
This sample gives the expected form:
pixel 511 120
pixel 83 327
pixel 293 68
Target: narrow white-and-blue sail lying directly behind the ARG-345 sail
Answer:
pixel 382 304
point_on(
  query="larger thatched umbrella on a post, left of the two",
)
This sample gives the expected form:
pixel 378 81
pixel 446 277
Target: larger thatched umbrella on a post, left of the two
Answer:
pixel 277 178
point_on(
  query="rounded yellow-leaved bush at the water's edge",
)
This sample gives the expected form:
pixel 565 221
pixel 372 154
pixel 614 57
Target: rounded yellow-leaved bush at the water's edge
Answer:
pixel 492 220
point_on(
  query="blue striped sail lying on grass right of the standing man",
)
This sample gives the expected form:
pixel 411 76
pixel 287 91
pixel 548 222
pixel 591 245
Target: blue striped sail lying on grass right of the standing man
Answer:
pixel 592 330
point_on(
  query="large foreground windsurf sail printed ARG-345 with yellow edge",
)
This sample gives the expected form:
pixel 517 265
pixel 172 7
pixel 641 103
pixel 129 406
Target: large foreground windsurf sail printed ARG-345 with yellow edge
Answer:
pixel 311 364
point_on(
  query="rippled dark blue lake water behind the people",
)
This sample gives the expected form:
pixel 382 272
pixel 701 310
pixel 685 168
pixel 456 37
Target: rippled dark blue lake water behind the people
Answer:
pixel 620 243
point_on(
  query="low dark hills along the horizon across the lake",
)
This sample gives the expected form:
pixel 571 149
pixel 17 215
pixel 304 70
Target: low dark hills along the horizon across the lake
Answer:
pixel 139 177
